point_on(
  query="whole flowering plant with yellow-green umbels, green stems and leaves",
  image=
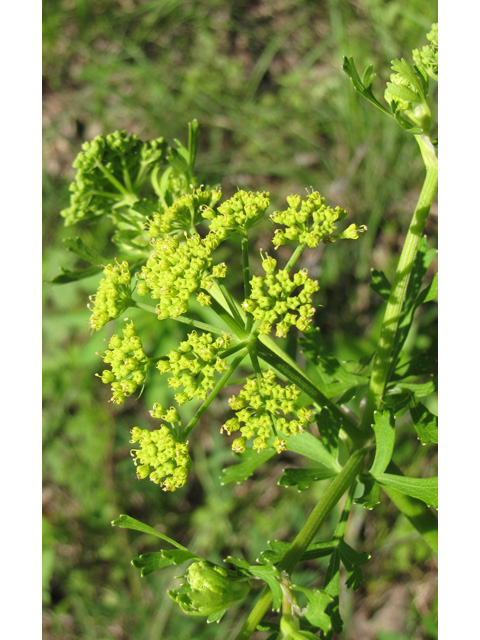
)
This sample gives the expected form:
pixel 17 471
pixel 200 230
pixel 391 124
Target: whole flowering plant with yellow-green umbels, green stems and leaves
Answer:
pixel 171 235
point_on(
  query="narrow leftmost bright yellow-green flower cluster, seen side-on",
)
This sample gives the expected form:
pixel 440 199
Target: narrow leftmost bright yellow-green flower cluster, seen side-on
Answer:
pixel 113 295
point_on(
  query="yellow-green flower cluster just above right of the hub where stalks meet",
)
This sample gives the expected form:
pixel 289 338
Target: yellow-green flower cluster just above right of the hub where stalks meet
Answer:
pixel 271 300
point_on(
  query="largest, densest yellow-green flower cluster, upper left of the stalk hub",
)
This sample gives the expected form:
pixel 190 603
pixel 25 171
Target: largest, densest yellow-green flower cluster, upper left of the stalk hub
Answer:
pixel 176 270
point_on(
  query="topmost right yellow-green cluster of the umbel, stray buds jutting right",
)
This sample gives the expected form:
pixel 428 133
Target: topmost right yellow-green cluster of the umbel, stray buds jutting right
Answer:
pixel 310 222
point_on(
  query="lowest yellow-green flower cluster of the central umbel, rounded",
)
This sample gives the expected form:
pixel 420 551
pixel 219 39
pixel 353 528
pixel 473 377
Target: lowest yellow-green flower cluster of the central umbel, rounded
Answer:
pixel 161 457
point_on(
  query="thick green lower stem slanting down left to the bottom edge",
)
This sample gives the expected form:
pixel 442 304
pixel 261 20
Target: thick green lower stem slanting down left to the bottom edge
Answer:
pixel 330 498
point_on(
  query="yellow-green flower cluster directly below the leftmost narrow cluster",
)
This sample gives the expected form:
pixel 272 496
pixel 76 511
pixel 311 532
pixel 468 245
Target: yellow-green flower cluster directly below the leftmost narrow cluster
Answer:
pixel 129 364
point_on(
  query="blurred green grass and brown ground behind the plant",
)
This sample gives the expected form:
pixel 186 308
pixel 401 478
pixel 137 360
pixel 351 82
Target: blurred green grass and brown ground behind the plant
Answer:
pixel 277 113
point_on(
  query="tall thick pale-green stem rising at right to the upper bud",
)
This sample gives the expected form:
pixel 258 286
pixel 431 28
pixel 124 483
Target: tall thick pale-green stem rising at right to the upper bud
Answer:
pixel 383 363
